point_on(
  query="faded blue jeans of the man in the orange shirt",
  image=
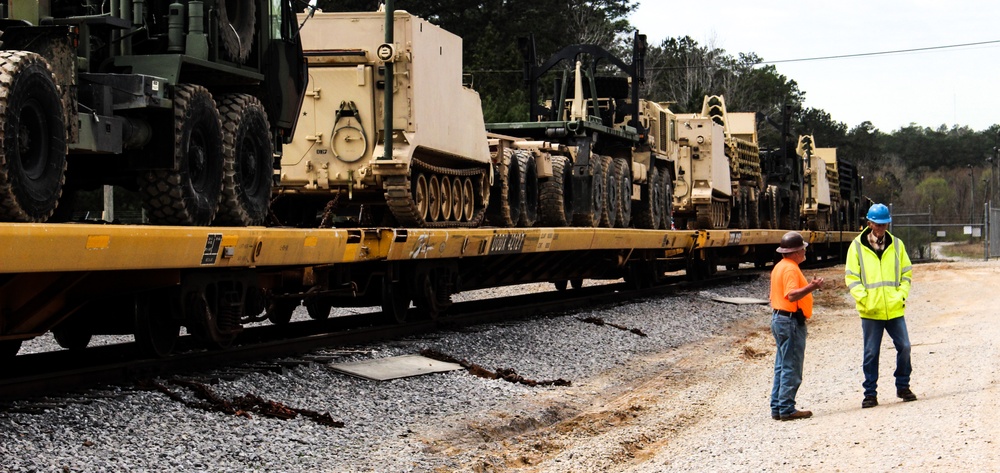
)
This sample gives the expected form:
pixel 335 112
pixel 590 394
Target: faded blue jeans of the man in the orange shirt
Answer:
pixel 790 343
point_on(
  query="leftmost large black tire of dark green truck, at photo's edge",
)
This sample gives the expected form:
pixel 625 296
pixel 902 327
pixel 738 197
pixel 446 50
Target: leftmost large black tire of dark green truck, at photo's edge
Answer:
pixel 32 138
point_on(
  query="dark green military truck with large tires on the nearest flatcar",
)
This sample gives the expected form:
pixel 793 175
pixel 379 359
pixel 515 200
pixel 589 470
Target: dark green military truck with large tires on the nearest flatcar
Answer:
pixel 129 94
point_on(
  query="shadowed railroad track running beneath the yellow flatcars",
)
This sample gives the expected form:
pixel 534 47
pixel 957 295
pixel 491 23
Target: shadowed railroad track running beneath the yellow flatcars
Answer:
pixel 49 378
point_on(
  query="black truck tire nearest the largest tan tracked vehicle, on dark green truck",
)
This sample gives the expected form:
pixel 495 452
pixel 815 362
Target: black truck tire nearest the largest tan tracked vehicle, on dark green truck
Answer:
pixel 247 163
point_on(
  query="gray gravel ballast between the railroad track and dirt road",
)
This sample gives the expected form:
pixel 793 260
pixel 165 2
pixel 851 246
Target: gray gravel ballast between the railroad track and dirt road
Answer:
pixel 386 424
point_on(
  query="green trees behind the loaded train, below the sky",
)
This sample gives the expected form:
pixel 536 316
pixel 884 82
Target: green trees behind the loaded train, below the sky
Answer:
pixel 917 168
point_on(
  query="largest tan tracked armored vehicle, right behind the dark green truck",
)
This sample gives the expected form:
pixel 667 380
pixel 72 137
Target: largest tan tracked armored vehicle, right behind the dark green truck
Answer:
pixel 439 170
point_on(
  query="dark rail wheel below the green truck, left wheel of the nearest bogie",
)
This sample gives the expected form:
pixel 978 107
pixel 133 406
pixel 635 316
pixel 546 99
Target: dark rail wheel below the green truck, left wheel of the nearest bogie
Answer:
pixel 156 330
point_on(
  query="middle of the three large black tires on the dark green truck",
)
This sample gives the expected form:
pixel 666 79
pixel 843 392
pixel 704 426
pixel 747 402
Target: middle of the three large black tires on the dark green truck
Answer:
pixel 189 195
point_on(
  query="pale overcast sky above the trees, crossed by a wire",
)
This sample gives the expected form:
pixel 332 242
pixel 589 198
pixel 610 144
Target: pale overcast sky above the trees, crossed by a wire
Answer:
pixel 929 88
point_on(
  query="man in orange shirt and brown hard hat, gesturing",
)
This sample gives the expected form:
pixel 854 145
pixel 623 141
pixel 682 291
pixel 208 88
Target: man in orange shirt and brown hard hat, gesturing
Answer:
pixel 791 301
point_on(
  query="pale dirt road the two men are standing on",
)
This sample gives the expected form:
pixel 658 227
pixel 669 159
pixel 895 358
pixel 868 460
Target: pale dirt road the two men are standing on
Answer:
pixel 704 407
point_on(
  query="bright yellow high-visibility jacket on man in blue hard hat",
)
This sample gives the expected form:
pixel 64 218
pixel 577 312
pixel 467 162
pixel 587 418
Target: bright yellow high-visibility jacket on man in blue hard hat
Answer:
pixel 879 286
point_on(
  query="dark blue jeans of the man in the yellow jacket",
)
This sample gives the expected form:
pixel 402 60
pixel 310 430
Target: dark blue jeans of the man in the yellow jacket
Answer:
pixel 872 332
